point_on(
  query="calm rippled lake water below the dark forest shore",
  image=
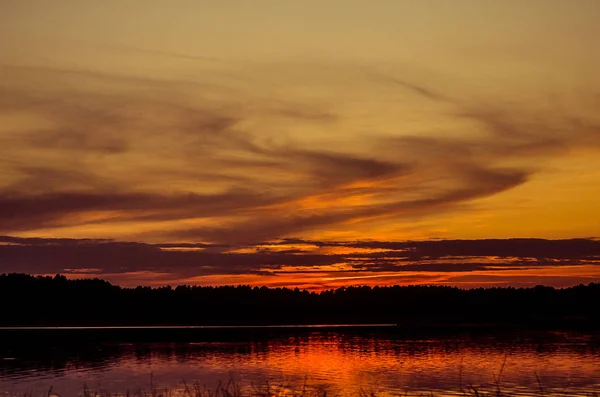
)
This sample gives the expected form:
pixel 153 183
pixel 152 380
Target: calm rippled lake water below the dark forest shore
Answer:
pixel 340 360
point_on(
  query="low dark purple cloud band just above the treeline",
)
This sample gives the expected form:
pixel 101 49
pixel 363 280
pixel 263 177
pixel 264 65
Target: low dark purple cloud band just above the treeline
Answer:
pixel 444 261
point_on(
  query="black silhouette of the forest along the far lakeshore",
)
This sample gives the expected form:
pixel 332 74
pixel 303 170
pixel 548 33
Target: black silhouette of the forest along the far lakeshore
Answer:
pixel 57 301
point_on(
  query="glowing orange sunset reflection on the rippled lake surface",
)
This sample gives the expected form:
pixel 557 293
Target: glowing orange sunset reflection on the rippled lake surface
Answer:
pixel 347 364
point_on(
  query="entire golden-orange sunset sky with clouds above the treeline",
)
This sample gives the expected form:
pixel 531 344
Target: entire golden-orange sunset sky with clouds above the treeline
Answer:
pixel 313 144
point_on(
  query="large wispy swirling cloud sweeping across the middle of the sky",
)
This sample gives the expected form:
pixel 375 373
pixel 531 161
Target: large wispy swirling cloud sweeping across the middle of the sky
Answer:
pixel 112 149
